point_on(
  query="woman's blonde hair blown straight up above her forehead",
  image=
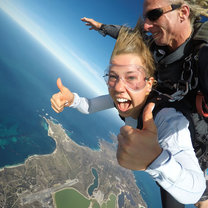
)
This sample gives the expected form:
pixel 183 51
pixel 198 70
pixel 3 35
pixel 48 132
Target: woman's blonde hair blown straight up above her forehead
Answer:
pixel 131 42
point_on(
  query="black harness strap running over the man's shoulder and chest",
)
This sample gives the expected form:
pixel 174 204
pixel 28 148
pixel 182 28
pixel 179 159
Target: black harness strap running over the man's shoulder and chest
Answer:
pixel 190 50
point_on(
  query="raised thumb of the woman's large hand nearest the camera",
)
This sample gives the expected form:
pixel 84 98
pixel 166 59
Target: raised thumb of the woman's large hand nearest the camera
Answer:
pixel 148 121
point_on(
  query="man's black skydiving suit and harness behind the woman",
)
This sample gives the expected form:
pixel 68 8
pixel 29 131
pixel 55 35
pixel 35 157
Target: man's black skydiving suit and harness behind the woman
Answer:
pixel 181 75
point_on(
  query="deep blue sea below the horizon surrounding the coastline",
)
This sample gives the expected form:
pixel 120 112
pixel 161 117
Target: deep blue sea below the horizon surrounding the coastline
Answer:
pixel 28 76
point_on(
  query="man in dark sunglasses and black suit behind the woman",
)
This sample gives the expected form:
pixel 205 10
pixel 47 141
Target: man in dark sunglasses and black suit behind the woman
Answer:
pixel 175 37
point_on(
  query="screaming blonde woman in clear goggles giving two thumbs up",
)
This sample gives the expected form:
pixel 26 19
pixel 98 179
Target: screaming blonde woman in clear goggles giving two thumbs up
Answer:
pixel 162 147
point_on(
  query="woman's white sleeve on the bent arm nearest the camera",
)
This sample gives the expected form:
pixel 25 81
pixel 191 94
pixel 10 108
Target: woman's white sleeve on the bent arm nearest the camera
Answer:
pixel 177 169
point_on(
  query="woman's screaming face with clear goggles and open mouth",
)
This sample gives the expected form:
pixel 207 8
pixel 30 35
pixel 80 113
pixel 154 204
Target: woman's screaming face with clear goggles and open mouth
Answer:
pixel 127 84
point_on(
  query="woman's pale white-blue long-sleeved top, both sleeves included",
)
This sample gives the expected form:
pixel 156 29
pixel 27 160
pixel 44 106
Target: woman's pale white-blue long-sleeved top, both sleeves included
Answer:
pixel 176 170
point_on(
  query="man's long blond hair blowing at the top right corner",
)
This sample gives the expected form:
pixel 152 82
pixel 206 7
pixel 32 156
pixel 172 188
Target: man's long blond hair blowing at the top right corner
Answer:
pixel 197 8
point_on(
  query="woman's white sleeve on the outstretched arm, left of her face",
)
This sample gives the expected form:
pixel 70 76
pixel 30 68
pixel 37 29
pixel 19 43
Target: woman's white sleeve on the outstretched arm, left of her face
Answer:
pixel 93 105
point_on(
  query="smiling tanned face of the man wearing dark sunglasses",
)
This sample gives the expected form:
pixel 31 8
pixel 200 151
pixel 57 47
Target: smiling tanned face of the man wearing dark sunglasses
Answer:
pixel 165 29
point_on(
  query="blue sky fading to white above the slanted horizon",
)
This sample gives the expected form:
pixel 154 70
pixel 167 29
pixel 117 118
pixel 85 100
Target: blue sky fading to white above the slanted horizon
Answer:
pixel 56 25
